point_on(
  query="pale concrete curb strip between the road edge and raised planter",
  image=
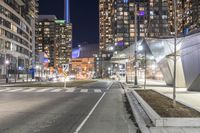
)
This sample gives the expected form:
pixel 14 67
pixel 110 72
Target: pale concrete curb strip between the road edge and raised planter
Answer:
pixel 140 121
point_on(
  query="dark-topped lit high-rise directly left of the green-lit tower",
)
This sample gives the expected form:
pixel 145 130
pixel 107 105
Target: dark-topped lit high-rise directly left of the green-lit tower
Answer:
pixel 45 41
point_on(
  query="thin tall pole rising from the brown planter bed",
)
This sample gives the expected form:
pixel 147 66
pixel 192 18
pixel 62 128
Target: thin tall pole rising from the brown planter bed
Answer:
pixel 175 41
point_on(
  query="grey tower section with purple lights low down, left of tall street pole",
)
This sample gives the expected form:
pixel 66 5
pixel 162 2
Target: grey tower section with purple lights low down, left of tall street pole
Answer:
pixel 120 23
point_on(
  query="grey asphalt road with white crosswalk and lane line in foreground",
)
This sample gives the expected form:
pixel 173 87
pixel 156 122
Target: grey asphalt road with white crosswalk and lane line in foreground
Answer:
pixel 91 108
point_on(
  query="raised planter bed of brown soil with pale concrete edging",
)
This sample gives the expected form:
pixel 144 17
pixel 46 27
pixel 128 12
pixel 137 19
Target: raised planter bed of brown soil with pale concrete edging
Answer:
pixel 162 113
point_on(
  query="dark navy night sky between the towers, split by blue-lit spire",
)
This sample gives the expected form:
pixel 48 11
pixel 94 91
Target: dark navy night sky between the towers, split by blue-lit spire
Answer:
pixel 84 17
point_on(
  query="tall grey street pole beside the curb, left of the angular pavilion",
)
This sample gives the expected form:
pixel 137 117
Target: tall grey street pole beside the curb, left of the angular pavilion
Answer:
pixel 136 81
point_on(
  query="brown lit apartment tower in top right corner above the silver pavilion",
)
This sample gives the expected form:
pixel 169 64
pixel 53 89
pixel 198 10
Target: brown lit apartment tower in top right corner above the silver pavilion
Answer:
pixel 188 16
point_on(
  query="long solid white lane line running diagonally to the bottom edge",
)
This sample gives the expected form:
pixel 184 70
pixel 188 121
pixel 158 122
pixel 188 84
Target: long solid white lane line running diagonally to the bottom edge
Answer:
pixel 90 113
